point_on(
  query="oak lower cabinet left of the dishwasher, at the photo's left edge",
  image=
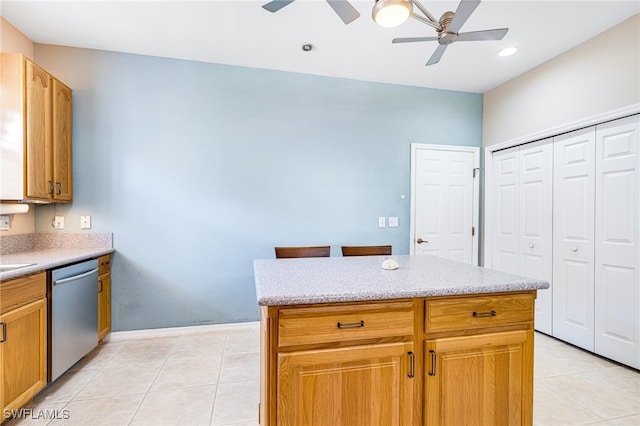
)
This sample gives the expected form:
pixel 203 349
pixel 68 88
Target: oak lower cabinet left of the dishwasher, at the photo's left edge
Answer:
pixel 23 339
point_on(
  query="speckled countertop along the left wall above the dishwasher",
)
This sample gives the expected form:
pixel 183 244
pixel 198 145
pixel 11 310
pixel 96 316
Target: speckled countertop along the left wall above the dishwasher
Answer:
pixel 47 259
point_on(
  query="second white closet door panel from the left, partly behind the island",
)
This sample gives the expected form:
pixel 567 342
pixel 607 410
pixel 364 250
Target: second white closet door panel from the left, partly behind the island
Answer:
pixel 535 216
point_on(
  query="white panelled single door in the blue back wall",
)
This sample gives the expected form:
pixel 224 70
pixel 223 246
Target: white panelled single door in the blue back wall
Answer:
pixel 445 202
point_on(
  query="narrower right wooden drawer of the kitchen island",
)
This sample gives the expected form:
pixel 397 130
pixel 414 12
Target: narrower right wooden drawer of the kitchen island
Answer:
pixel 457 313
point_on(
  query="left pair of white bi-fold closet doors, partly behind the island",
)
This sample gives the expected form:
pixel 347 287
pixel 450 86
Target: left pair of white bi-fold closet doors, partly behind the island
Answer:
pixel 522 181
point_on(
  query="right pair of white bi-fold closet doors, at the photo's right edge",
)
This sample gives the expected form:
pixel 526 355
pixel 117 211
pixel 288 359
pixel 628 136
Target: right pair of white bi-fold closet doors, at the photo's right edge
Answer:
pixel 596 291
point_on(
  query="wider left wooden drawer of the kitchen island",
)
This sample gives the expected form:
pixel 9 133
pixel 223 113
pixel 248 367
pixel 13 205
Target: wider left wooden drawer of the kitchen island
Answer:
pixel 324 324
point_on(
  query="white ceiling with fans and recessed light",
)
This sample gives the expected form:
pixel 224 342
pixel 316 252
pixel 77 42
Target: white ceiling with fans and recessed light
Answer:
pixel 240 32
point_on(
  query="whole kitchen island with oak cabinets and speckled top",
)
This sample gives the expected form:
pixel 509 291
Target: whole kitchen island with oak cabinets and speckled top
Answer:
pixel 345 342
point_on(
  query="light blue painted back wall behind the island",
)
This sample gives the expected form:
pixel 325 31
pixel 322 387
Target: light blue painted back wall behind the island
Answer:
pixel 198 169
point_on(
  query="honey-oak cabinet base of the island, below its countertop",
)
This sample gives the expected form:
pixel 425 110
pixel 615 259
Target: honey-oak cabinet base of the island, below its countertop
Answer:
pixel 449 360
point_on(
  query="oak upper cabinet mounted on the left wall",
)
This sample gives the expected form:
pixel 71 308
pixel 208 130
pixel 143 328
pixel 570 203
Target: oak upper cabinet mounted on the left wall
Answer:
pixel 36 127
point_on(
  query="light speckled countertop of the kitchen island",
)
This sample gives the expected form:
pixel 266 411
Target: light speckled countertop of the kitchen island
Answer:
pixel 359 278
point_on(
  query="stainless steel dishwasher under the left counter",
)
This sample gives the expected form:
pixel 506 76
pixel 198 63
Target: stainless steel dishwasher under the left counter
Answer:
pixel 74 315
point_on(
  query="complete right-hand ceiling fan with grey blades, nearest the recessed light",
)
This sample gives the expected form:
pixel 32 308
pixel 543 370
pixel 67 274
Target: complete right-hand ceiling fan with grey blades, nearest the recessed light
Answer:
pixel 447 27
